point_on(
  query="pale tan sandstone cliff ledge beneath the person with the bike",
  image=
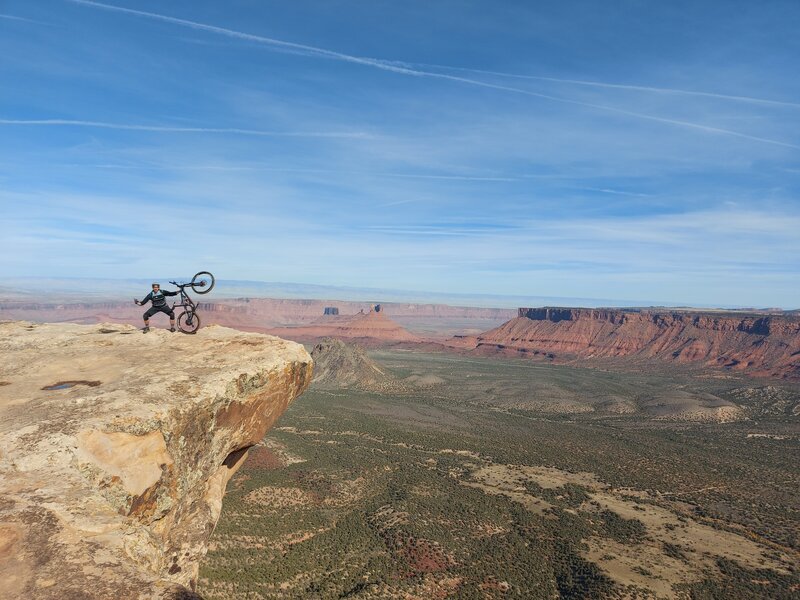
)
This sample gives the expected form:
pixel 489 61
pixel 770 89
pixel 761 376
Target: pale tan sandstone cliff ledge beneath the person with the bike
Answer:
pixel 111 483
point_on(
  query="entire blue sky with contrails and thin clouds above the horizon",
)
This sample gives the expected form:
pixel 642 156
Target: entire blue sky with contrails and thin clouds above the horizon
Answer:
pixel 630 150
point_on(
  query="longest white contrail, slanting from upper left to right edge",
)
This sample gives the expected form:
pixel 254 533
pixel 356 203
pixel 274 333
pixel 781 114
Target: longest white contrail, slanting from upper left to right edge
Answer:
pixel 405 70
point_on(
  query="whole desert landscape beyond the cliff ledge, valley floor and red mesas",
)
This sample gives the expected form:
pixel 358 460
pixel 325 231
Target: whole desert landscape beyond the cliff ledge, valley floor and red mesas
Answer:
pixel 536 453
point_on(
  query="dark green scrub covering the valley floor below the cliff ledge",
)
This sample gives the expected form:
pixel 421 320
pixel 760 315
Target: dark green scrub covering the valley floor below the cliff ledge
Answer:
pixel 391 500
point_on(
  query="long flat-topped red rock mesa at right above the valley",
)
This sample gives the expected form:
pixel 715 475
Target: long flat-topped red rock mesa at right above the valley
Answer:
pixel 760 344
